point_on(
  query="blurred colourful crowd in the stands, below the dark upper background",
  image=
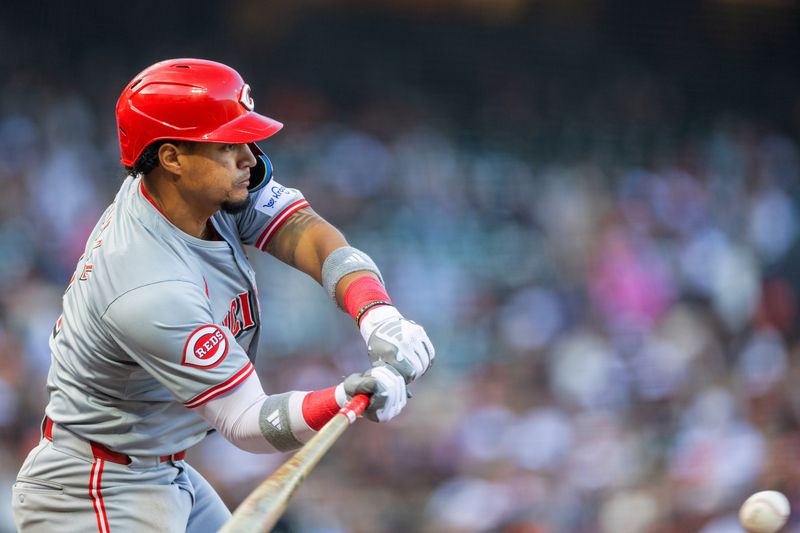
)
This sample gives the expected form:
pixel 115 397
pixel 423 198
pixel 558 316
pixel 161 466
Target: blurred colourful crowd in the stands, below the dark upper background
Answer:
pixel 615 319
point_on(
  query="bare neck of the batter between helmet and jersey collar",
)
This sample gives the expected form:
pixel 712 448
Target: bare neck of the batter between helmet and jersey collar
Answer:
pixel 167 199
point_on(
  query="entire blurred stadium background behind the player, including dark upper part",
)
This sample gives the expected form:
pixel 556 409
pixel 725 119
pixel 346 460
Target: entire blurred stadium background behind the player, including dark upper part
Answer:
pixel 592 206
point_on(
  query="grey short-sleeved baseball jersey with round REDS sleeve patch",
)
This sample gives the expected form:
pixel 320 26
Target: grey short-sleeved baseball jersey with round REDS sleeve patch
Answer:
pixel 157 322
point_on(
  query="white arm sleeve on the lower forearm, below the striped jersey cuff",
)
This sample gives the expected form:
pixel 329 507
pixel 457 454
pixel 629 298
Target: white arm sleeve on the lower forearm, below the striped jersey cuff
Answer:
pixel 237 416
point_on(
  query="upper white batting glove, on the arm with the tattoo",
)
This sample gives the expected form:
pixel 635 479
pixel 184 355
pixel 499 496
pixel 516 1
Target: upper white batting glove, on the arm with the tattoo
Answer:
pixel 397 342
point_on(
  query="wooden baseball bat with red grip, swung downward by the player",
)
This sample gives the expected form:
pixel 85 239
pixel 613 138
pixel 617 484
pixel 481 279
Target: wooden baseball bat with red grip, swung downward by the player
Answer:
pixel 262 509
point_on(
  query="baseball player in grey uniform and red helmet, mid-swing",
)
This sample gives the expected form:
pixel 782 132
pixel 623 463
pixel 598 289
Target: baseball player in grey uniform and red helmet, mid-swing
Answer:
pixel 161 319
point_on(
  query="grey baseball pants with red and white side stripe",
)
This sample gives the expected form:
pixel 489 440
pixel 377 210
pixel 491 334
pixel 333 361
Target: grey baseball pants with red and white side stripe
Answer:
pixel 66 484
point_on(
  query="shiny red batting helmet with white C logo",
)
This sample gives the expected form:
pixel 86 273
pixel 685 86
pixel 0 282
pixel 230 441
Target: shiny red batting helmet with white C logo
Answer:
pixel 188 100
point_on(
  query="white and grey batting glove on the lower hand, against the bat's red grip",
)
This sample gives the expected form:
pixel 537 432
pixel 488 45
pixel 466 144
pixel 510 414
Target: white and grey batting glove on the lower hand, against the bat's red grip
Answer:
pixel 385 387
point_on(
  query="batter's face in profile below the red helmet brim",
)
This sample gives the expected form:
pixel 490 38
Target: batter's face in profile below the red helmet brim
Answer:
pixel 218 174
